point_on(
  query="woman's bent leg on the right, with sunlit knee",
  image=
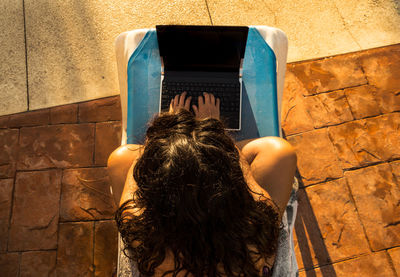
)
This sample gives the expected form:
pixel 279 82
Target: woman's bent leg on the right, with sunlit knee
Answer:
pixel 272 162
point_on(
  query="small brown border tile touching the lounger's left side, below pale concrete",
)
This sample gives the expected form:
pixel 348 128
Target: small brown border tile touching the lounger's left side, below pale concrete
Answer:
pixel 105 109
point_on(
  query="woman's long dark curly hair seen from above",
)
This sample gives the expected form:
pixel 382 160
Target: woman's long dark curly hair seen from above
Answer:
pixel 195 203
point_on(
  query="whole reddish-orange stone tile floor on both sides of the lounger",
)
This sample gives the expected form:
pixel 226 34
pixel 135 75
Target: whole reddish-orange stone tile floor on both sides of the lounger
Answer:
pixel 341 113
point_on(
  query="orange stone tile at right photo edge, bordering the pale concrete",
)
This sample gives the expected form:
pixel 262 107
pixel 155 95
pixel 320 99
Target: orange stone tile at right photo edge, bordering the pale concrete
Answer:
pixel 382 69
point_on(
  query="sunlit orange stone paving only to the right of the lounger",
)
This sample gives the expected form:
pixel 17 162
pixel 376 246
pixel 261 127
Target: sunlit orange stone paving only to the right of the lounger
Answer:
pixel 342 115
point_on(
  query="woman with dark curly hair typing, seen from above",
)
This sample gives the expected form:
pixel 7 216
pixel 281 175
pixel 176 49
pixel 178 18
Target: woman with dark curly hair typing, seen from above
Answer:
pixel 192 202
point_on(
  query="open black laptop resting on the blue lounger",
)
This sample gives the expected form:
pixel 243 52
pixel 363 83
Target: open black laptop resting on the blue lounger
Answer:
pixel 199 59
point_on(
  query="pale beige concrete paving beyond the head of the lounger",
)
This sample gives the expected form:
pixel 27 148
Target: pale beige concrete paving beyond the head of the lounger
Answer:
pixel 54 52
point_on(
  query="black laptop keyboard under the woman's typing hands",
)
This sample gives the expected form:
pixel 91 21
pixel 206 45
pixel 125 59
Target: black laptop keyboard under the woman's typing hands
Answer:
pixel 228 93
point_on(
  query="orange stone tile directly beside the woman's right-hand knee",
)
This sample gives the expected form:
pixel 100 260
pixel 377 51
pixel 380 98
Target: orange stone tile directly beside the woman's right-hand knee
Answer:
pixel 316 157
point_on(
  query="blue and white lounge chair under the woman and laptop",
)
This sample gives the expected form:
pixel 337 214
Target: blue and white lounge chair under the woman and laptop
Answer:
pixel 264 66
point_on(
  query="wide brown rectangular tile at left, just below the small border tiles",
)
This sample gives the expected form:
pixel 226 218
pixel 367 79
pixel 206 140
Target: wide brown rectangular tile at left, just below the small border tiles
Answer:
pixel 56 146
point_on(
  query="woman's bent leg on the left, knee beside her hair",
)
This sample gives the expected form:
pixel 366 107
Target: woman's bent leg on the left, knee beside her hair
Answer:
pixel 119 162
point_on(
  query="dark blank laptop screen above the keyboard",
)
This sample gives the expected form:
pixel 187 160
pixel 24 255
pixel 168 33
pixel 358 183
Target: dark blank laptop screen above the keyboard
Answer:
pixel 201 48
